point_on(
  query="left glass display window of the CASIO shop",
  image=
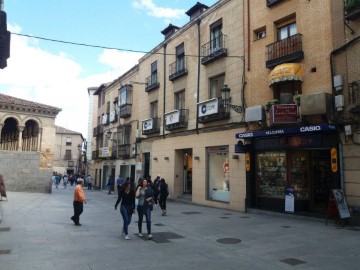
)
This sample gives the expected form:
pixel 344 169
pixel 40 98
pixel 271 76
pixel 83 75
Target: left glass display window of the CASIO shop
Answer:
pixel 271 171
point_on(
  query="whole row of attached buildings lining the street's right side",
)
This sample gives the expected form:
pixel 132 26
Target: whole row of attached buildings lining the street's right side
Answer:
pixel 246 100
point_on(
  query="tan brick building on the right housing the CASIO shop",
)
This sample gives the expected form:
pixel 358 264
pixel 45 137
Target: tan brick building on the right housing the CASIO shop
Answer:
pixel 299 104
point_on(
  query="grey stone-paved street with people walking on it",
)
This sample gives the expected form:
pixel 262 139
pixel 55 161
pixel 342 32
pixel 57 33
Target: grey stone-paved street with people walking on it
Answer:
pixel 36 233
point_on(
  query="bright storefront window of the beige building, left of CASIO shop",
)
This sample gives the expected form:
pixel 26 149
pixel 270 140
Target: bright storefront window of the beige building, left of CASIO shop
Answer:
pixel 218 173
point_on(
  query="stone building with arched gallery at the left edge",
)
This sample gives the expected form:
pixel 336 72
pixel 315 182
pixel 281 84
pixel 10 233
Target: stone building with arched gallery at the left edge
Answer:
pixel 27 144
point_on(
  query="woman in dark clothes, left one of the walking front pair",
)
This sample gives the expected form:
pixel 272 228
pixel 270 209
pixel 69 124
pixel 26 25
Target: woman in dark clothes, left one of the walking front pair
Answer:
pixel 127 206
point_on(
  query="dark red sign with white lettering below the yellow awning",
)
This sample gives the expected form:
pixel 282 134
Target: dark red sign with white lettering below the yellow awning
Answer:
pixel 283 114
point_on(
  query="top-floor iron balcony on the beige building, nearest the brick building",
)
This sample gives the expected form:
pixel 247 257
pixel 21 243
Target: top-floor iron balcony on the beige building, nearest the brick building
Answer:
pixel 213 50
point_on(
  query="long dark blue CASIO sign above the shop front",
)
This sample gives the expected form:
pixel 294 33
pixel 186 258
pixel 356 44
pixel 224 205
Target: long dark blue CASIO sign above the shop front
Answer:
pixel 286 131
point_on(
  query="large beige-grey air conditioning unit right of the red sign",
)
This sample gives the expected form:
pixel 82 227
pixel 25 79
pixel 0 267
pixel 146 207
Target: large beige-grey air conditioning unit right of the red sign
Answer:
pixel 319 103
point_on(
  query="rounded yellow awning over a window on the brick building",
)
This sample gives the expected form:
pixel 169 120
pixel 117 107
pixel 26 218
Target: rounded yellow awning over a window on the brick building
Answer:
pixel 286 72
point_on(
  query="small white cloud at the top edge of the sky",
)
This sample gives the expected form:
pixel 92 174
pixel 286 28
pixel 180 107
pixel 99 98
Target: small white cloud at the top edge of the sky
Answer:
pixel 159 12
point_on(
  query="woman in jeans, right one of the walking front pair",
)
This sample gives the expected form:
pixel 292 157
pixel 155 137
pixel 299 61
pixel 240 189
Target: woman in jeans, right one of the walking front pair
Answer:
pixel 144 207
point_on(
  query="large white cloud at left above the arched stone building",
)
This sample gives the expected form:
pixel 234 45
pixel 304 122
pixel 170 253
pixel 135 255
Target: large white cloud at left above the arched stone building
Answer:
pixel 54 79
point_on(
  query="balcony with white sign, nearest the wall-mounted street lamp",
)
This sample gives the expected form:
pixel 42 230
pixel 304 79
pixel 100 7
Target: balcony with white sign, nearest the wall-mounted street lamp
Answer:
pixel 212 110
